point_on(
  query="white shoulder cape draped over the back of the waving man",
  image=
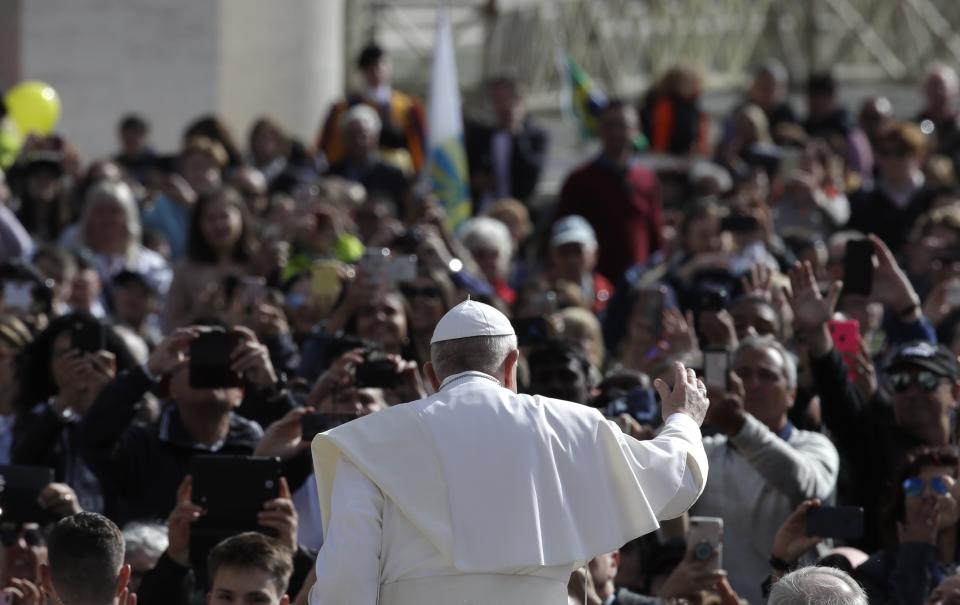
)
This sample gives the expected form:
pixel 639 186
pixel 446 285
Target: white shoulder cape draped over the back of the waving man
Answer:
pixel 500 481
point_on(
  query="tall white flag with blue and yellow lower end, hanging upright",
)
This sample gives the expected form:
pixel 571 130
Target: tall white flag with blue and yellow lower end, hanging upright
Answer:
pixel 447 154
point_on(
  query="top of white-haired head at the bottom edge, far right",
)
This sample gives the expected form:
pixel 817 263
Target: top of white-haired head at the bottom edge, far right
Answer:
pixel 817 586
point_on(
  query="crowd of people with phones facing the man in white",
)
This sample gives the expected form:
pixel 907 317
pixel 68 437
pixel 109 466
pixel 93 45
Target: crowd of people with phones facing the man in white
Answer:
pixel 687 237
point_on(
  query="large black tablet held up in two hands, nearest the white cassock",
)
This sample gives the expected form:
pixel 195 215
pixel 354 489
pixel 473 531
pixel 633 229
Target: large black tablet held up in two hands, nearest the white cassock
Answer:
pixel 232 491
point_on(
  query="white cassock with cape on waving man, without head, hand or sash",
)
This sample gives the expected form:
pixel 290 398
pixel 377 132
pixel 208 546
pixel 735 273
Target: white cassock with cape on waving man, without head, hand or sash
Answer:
pixel 371 540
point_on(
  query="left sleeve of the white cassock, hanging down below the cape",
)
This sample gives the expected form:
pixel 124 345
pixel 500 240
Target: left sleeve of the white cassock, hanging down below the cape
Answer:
pixel 348 566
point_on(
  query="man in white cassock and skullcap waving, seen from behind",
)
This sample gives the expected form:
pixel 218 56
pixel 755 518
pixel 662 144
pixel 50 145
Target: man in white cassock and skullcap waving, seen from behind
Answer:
pixel 480 496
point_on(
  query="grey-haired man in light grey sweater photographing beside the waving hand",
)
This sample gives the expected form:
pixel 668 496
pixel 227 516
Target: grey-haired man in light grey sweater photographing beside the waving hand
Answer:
pixel 762 466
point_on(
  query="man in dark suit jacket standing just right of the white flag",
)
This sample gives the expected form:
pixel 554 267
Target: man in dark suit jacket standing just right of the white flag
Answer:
pixel 505 158
